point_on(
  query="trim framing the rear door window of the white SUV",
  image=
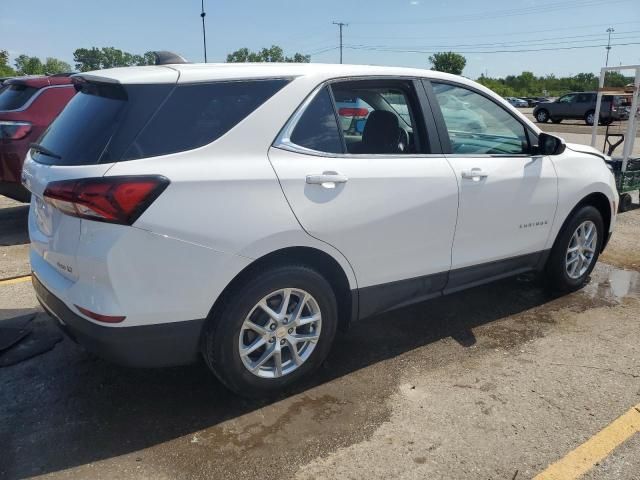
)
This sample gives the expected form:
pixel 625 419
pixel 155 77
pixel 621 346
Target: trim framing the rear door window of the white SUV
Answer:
pixel 283 139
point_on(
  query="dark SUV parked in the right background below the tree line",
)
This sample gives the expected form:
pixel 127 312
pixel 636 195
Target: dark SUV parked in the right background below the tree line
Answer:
pixel 580 105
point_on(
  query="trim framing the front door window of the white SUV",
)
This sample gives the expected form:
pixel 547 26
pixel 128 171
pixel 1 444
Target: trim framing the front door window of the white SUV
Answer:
pixel 444 133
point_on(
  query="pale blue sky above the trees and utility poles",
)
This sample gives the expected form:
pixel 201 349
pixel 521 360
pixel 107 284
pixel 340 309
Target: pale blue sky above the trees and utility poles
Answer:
pixel 379 32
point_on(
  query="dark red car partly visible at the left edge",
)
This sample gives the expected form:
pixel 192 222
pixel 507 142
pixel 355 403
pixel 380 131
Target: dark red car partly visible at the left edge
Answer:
pixel 27 106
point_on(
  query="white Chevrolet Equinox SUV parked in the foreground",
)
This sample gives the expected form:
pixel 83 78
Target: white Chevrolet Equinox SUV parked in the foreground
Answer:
pixel 226 210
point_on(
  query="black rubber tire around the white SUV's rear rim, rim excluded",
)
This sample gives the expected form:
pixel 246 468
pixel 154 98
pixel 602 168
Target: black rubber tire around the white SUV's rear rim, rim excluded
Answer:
pixel 221 348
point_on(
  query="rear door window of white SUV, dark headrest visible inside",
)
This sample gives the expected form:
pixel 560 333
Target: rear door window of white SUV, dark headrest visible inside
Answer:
pixel 378 117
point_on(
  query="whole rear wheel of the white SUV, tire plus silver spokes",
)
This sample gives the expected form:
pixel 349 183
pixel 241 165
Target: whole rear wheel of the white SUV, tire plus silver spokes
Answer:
pixel 222 336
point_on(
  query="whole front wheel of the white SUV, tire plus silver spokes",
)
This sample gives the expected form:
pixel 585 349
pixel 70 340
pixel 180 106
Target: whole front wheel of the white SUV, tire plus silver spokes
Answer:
pixel 557 270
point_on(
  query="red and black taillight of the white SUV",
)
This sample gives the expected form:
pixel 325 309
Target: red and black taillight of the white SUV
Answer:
pixel 106 199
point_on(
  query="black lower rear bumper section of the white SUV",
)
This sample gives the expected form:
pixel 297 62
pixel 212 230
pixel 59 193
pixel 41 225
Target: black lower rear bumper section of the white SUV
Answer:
pixel 160 345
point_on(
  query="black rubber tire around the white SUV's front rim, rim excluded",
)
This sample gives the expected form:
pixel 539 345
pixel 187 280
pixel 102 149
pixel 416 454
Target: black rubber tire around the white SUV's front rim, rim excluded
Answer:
pixel 555 271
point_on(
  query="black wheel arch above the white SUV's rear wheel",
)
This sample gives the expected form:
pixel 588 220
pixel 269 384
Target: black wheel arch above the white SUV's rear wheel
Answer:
pixel 319 260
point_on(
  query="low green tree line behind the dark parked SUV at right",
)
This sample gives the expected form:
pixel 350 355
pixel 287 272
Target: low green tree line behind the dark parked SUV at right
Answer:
pixel 528 85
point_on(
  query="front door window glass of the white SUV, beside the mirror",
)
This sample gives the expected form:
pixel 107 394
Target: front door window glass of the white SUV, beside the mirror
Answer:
pixel 478 126
